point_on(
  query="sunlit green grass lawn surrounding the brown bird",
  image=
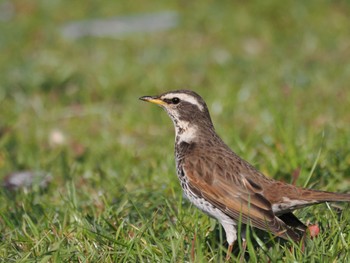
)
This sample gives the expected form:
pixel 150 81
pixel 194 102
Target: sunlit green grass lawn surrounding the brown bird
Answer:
pixel 274 74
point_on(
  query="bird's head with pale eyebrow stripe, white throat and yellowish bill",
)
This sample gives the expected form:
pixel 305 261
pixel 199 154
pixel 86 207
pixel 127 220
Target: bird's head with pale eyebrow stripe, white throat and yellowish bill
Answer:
pixel 187 110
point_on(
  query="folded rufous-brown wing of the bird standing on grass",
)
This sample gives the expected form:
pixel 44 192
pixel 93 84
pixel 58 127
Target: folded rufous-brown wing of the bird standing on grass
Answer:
pixel 233 195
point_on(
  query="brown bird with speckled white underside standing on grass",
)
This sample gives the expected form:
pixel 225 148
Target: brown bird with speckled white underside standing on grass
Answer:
pixel 225 186
